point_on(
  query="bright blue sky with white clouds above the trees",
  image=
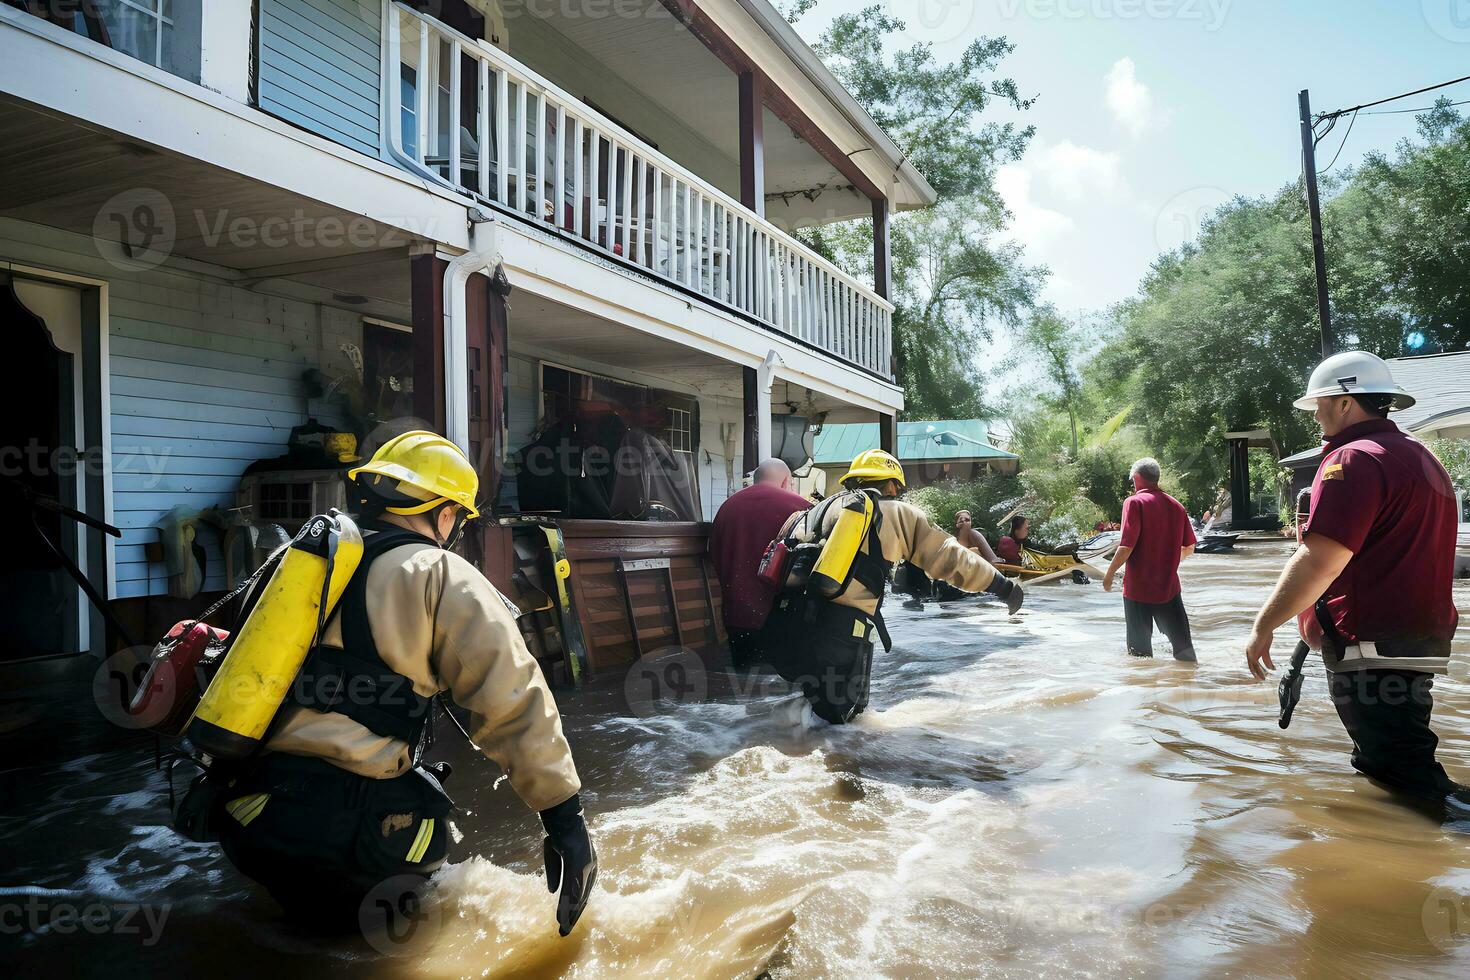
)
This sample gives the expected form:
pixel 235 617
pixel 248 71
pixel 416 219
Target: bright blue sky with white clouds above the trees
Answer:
pixel 1152 114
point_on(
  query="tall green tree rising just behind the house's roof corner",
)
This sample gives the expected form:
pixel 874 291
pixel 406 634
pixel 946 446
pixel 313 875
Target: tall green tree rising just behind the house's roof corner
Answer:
pixel 956 278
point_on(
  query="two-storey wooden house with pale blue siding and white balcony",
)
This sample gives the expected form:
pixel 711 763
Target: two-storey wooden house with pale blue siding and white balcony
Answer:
pixel 205 199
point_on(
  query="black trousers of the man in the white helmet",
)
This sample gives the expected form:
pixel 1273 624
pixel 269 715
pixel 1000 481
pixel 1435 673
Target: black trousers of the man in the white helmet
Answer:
pixel 1387 715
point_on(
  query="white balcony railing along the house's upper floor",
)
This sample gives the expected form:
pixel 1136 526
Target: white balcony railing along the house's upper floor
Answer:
pixel 526 145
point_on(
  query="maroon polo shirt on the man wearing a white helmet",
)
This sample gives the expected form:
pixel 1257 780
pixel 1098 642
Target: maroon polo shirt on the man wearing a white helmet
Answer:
pixel 1385 497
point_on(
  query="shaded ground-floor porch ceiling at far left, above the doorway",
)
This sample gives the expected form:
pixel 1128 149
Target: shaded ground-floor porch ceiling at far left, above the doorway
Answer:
pixel 64 174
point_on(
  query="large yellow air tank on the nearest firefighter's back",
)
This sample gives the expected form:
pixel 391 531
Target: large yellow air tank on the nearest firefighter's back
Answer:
pixel 268 650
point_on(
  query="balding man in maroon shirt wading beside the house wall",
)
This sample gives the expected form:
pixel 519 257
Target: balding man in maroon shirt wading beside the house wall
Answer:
pixel 745 525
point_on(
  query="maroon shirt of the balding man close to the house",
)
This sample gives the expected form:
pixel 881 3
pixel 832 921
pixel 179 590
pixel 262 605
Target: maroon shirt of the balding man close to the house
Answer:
pixel 745 525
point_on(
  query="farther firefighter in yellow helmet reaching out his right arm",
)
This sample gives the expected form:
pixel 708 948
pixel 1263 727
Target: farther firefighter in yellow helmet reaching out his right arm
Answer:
pixel 843 555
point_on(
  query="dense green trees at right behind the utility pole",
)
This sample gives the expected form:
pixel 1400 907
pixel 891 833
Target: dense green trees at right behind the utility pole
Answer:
pixel 1224 331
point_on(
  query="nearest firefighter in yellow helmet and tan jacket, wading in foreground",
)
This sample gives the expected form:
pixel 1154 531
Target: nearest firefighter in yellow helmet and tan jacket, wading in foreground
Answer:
pixel 337 809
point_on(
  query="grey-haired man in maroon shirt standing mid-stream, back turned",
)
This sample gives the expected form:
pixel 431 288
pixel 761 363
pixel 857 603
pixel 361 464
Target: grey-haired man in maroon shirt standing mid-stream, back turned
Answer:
pixel 1158 537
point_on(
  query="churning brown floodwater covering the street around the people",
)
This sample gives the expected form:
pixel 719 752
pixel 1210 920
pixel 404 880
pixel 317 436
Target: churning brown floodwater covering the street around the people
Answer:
pixel 1022 800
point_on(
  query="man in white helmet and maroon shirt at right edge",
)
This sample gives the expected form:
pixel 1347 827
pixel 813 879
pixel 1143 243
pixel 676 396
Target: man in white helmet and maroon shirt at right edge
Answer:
pixel 1375 565
